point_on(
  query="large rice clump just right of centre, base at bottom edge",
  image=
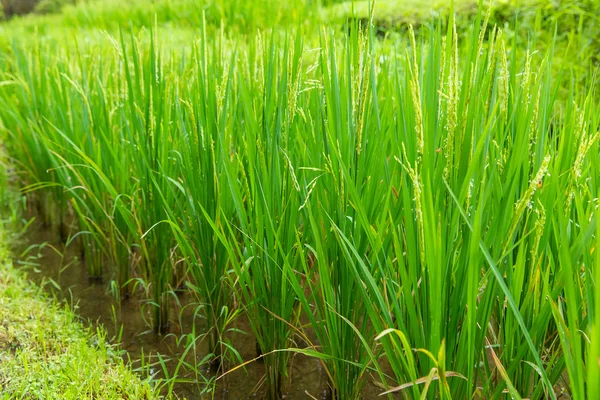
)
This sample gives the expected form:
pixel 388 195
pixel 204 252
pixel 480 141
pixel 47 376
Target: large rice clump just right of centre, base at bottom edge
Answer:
pixel 336 169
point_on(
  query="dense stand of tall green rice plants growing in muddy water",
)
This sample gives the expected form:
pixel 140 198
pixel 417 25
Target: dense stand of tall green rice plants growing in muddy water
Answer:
pixel 419 210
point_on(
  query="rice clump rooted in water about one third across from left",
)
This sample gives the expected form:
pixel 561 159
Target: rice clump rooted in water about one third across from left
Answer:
pixel 201 180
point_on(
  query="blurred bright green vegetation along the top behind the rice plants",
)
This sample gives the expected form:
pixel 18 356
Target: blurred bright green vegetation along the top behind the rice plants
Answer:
pixel 573 26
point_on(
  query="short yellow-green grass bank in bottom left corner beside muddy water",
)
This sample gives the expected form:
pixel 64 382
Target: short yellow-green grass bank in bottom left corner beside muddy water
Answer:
pixel 46 353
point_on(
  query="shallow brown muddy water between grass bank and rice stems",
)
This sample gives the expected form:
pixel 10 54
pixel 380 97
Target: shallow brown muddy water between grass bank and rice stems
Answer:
pixel 46 259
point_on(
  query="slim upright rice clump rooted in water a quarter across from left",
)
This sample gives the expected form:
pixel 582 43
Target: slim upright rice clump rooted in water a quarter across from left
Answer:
pixel 149 109
